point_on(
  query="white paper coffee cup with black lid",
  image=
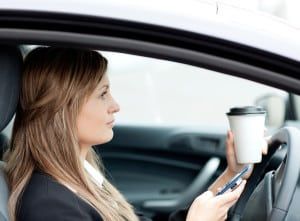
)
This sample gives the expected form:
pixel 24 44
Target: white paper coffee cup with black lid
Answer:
pixel 247 125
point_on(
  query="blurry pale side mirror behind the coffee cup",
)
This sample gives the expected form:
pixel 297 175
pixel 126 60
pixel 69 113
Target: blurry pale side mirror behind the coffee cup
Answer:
pixel 275 105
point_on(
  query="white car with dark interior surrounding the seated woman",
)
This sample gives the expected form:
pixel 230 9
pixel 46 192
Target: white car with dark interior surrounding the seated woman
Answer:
pixel 176 69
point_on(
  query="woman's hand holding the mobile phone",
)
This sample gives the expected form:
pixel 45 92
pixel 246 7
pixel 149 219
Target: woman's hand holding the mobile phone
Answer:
pixel 208 207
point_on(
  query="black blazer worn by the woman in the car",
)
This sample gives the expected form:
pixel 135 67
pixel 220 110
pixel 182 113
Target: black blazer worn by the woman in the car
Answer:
pixel 47 200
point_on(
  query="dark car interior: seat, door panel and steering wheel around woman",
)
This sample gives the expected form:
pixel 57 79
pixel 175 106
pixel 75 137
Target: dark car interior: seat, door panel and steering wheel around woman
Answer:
pixel 162 169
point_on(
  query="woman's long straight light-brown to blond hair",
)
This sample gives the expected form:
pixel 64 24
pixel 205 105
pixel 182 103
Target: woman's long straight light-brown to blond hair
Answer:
pixel 55 84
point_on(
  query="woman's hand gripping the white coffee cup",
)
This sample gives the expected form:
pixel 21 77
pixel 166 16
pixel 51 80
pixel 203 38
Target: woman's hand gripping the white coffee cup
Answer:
pixel 233 167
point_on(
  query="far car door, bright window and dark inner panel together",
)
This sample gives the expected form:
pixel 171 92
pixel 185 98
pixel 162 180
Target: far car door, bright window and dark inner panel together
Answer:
pixel 170 135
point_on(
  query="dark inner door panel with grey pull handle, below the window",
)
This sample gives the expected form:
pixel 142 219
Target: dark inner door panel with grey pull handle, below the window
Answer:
pixel 159 169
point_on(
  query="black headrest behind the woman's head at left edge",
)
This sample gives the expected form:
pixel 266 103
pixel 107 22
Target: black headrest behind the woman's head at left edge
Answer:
pixel 10 76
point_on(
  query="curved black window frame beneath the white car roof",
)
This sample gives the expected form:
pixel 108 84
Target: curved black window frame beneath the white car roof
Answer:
pixel 32 27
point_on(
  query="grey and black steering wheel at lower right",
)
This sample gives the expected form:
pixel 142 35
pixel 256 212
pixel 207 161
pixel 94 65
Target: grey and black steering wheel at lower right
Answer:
pixel 277 188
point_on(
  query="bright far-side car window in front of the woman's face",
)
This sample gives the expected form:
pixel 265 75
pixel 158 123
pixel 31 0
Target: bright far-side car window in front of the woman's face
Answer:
pixel 159 92
